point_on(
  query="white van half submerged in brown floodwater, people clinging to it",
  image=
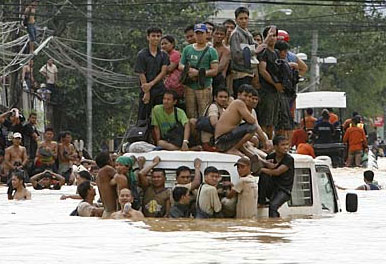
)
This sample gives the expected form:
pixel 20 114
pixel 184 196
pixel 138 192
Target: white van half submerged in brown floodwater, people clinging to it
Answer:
pixel 313 193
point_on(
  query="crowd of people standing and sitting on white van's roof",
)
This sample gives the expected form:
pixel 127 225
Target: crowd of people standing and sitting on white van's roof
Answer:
pixel 229 90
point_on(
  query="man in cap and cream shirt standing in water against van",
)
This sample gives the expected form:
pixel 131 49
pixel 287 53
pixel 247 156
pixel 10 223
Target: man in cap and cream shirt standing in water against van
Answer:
pixel 246 190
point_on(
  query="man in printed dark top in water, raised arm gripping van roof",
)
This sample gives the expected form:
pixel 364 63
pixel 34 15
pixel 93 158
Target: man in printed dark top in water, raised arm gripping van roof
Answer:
pixel 156 199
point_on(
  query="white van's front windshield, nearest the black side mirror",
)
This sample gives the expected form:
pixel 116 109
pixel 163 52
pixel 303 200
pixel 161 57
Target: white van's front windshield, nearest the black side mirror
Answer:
pixel 326 190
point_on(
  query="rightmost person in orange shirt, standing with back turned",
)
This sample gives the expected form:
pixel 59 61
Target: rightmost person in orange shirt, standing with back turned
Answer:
pixel 356 139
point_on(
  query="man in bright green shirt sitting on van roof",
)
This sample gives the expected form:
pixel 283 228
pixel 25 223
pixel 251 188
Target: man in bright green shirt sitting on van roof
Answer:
pixel 164 118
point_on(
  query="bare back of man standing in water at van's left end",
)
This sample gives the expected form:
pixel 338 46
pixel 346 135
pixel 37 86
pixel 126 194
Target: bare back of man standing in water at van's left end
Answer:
pixel 107 192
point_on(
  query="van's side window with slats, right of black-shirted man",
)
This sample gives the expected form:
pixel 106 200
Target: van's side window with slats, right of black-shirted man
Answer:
pixel 302 189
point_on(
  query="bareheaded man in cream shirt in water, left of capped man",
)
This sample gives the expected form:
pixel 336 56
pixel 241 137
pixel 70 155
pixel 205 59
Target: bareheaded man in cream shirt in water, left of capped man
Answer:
pixel 208 203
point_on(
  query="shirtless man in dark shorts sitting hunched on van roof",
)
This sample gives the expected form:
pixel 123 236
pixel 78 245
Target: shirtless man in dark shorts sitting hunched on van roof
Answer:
pixel 230 134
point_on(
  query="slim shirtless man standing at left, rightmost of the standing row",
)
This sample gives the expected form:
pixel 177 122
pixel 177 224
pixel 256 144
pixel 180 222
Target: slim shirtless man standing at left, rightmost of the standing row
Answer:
pixel 66 156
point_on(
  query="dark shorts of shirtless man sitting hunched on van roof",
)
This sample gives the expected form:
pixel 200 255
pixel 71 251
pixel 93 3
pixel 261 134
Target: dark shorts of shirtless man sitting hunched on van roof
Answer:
pixel 228 140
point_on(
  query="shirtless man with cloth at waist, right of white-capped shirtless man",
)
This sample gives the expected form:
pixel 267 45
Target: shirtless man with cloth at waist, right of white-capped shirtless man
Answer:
pixel 47 152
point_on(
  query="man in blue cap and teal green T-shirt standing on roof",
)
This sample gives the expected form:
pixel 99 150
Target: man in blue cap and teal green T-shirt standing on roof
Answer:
pixel 198 94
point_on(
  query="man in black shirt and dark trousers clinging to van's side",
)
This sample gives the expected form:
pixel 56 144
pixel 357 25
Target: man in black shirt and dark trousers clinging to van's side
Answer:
pixel 276 183
